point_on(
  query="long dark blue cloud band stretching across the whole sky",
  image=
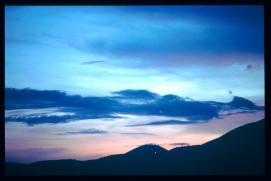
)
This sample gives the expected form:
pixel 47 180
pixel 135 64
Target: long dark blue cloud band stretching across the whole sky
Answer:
pixel 106 107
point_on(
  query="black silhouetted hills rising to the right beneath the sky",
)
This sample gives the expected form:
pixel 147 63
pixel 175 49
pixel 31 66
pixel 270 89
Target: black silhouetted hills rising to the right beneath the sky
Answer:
pixel 240 151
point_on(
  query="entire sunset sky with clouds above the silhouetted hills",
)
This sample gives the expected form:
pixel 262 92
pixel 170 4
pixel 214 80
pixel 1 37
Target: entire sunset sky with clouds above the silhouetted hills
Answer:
pixel 84 82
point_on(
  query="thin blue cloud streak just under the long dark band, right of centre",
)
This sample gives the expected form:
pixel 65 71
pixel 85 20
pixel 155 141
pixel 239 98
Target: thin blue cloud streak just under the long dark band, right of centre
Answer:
pixel 166 122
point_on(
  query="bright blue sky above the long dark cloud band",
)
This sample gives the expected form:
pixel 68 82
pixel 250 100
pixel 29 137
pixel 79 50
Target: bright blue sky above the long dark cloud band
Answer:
pixel 186 50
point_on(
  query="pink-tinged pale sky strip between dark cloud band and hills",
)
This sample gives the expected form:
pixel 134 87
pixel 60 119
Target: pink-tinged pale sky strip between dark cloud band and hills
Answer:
pixel 28 144
